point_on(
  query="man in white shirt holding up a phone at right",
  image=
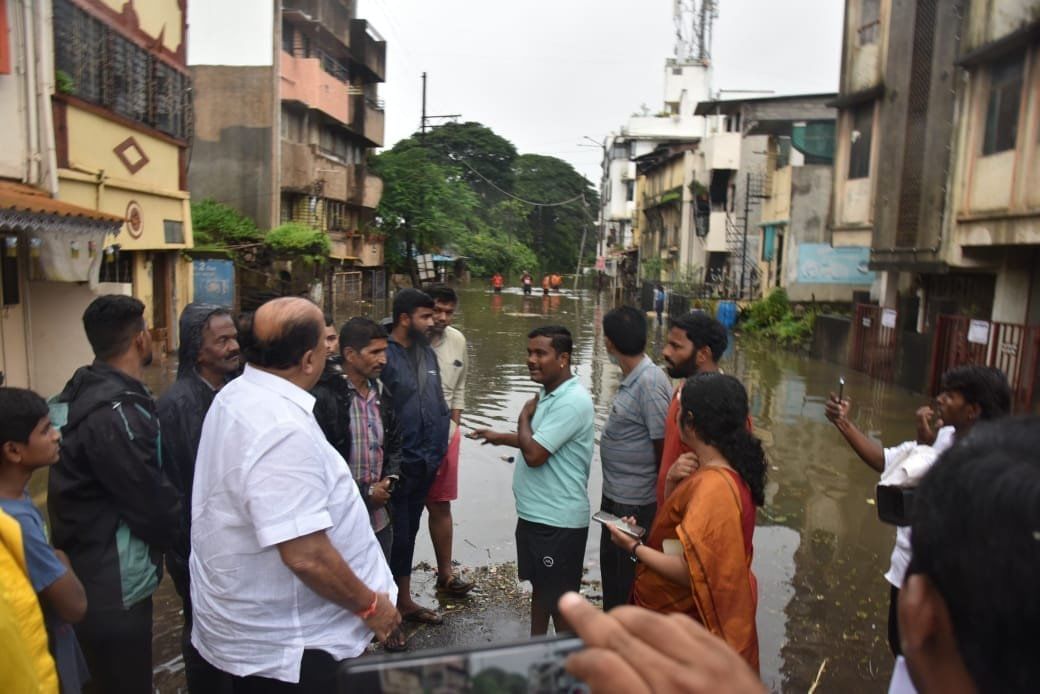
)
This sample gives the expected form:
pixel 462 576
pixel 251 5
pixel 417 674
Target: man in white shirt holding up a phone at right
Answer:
pixel 967 396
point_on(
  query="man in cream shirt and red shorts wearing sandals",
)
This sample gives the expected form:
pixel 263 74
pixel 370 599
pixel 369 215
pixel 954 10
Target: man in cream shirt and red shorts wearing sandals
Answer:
pixel 450 345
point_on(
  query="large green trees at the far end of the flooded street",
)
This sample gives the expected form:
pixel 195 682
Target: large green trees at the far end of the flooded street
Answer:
pixel 434 200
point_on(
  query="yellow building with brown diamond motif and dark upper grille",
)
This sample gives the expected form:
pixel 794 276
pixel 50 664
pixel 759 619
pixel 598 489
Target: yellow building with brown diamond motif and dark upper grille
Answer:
pixel 122 120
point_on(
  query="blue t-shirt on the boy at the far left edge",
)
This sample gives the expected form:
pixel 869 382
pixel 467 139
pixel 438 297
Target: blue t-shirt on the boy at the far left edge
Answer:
pixel 45 569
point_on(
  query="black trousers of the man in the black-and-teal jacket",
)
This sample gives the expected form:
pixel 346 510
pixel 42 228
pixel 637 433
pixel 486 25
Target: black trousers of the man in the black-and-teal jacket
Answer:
pixel 118 649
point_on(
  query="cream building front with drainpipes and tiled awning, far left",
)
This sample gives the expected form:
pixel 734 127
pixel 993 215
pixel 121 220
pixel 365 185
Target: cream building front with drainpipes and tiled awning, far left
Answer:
pixel 51 252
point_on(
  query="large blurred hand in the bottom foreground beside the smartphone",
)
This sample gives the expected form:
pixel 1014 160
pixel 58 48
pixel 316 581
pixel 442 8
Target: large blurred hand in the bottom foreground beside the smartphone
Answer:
pixel 632 651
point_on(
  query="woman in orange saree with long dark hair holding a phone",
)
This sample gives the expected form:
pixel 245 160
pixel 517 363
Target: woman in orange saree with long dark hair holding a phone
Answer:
pixel 697 559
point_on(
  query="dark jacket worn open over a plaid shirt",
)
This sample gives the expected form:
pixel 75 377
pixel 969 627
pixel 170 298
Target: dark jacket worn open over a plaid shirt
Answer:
pixel 332 409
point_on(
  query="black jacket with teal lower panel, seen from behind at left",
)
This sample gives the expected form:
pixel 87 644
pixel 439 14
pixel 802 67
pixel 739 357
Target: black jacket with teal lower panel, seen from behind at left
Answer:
pixel 112 508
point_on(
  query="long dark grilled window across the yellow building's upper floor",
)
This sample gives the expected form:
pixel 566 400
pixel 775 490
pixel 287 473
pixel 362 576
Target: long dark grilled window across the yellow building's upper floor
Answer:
pixel 107 69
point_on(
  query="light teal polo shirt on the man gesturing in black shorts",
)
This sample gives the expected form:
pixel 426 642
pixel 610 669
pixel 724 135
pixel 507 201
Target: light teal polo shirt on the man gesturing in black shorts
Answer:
pixel 557 494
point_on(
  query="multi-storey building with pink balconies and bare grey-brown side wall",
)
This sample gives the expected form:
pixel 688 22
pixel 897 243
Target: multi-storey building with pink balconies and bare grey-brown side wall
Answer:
pixel 287 137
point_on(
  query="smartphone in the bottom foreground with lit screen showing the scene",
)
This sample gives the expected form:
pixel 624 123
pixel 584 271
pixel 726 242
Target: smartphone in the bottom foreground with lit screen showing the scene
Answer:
pixel 536 665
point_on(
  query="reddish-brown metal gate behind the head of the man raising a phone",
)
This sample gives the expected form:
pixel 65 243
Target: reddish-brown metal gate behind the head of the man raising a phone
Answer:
pixel 1012 348
